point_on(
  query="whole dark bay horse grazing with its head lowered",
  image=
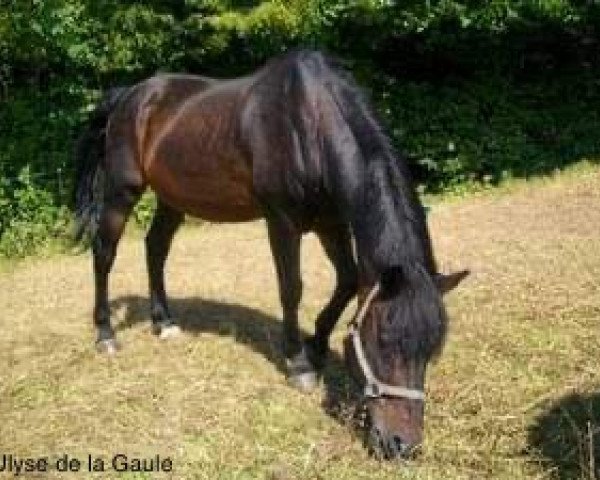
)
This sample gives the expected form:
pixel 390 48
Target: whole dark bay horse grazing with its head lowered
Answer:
pixel 297 144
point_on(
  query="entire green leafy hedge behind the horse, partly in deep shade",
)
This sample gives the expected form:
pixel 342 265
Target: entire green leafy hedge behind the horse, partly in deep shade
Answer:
pixel 473 91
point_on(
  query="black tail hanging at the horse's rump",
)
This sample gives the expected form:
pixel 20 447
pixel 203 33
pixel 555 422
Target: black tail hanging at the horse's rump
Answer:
pixel 89 173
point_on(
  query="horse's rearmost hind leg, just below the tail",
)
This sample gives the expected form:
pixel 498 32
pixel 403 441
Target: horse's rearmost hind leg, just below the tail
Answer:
pixel 115 210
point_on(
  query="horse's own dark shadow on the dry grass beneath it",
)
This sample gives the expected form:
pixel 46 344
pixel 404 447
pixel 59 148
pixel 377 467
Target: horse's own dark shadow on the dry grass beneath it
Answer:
pixel 259 331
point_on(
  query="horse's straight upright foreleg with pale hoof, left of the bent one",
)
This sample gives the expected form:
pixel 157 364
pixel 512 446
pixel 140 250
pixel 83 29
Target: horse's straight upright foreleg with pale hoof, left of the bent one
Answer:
pixel 285 245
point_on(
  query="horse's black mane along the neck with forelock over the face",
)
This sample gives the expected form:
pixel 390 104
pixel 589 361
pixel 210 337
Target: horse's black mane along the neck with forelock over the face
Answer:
pixel 389 220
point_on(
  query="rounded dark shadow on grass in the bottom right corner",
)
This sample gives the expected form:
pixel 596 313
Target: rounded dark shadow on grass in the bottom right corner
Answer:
pixel 567 436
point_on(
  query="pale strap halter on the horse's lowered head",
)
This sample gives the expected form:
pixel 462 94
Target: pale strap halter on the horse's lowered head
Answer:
pixel 374 388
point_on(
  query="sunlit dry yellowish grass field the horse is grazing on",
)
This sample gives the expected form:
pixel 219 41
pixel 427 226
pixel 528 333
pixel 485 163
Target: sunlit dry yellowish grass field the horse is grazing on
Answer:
pixel 515 394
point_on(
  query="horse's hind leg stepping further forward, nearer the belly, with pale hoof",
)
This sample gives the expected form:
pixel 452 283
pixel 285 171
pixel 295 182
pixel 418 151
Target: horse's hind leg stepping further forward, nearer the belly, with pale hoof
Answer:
pixel 164 225
